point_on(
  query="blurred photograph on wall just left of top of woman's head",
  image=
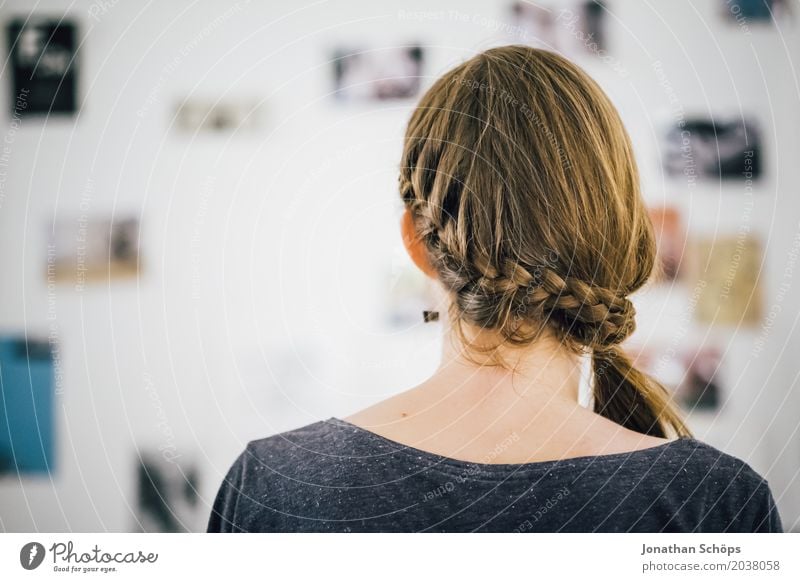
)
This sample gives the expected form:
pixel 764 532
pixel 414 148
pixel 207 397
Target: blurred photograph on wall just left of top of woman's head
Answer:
pixel 378 74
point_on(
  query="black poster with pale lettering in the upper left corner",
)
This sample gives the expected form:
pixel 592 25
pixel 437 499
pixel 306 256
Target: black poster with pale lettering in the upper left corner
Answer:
pixel 43 66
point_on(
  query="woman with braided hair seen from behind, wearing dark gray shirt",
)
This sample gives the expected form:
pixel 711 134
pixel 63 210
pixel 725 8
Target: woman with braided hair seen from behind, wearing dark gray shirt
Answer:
pixel 522 202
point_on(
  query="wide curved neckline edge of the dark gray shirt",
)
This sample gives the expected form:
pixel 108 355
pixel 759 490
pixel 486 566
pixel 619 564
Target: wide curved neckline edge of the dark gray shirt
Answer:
pixel 504 467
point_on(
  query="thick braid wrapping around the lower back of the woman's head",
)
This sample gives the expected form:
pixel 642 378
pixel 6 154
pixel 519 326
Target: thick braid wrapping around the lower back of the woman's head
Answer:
pixel 488 293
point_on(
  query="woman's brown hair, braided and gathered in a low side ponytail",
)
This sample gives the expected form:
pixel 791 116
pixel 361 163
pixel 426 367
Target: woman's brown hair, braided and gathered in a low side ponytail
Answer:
pixel 522 184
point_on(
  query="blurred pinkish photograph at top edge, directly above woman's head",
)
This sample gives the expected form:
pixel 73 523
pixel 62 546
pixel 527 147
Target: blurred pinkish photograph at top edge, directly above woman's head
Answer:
pixel 571 27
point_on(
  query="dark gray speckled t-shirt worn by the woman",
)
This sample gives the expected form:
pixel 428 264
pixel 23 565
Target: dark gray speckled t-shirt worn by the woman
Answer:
pixel 332 476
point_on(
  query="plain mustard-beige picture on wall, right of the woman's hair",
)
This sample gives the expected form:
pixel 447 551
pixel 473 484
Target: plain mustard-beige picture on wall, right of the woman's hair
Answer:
pixel 726 273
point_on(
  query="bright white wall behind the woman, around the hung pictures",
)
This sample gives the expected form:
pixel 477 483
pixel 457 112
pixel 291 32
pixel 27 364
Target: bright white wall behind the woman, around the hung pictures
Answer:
pixel 263 253
